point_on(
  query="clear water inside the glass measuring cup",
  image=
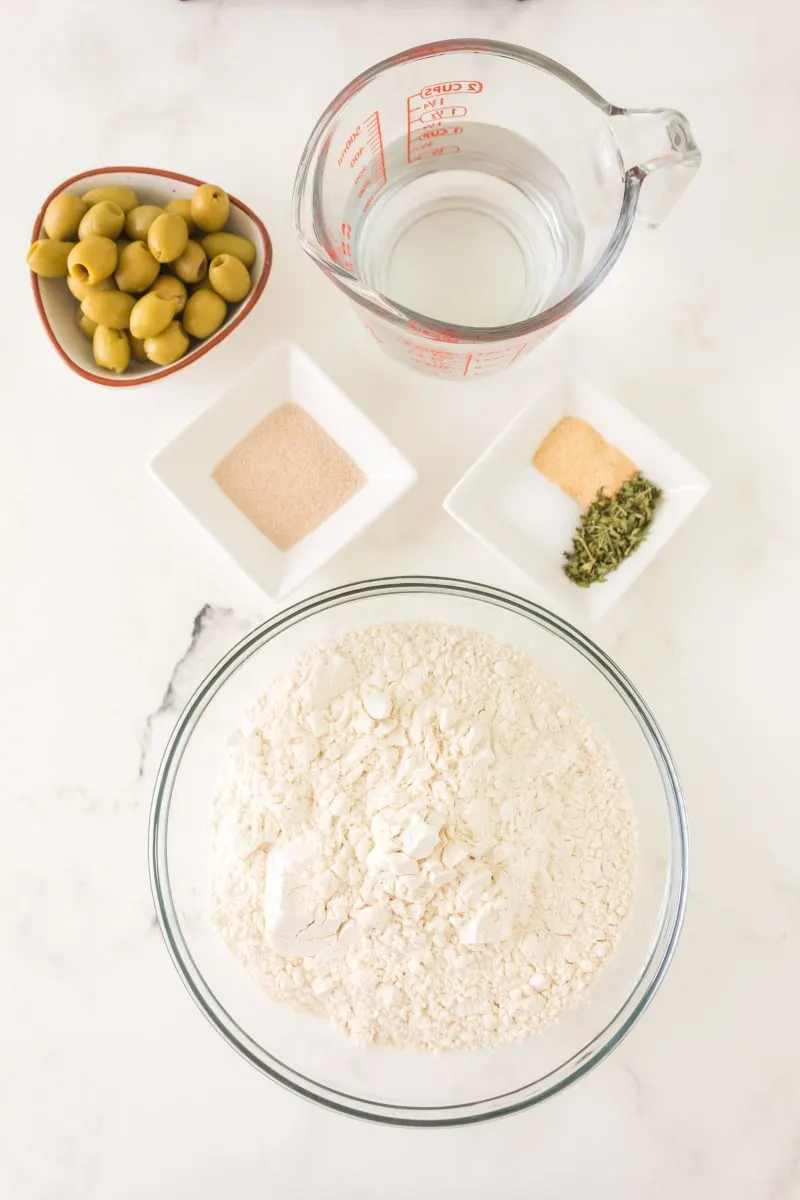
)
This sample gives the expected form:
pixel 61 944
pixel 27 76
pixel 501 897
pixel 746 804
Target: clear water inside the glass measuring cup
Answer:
pixel 486 237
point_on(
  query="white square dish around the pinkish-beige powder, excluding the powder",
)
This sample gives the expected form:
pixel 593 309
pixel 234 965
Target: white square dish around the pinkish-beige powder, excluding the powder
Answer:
pixel 285 374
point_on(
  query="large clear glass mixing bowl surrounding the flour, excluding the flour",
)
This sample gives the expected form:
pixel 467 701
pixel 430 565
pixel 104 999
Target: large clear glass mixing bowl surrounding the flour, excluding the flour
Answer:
pixel 306 1054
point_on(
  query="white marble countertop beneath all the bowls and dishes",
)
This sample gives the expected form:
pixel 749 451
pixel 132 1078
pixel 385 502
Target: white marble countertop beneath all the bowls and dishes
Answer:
pixel 113 607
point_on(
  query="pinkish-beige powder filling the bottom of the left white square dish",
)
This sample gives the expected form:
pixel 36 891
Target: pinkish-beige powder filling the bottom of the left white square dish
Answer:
pixel 288 476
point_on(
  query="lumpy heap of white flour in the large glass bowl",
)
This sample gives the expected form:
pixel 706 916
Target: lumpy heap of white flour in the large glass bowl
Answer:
pixel 419 837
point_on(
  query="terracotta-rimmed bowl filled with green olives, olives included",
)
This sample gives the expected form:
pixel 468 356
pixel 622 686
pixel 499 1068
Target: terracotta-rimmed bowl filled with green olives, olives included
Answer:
pixel 137 273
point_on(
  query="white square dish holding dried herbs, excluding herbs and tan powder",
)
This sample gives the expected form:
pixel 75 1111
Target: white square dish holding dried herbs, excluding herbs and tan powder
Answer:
pixel 515 511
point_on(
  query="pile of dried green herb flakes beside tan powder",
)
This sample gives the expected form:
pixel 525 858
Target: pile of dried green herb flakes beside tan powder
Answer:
pixel 611 530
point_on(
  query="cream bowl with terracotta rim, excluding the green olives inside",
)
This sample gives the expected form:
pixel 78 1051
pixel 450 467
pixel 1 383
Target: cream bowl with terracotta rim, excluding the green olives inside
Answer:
pixel 57 305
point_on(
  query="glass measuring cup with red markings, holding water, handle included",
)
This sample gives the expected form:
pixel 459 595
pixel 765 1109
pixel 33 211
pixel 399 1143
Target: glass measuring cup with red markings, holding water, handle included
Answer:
pixel 468 195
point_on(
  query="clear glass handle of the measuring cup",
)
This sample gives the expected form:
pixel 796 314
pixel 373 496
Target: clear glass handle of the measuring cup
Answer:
pixel 659 149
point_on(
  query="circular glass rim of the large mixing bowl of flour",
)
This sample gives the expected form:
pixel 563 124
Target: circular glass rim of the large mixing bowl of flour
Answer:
pixel 431 1117
